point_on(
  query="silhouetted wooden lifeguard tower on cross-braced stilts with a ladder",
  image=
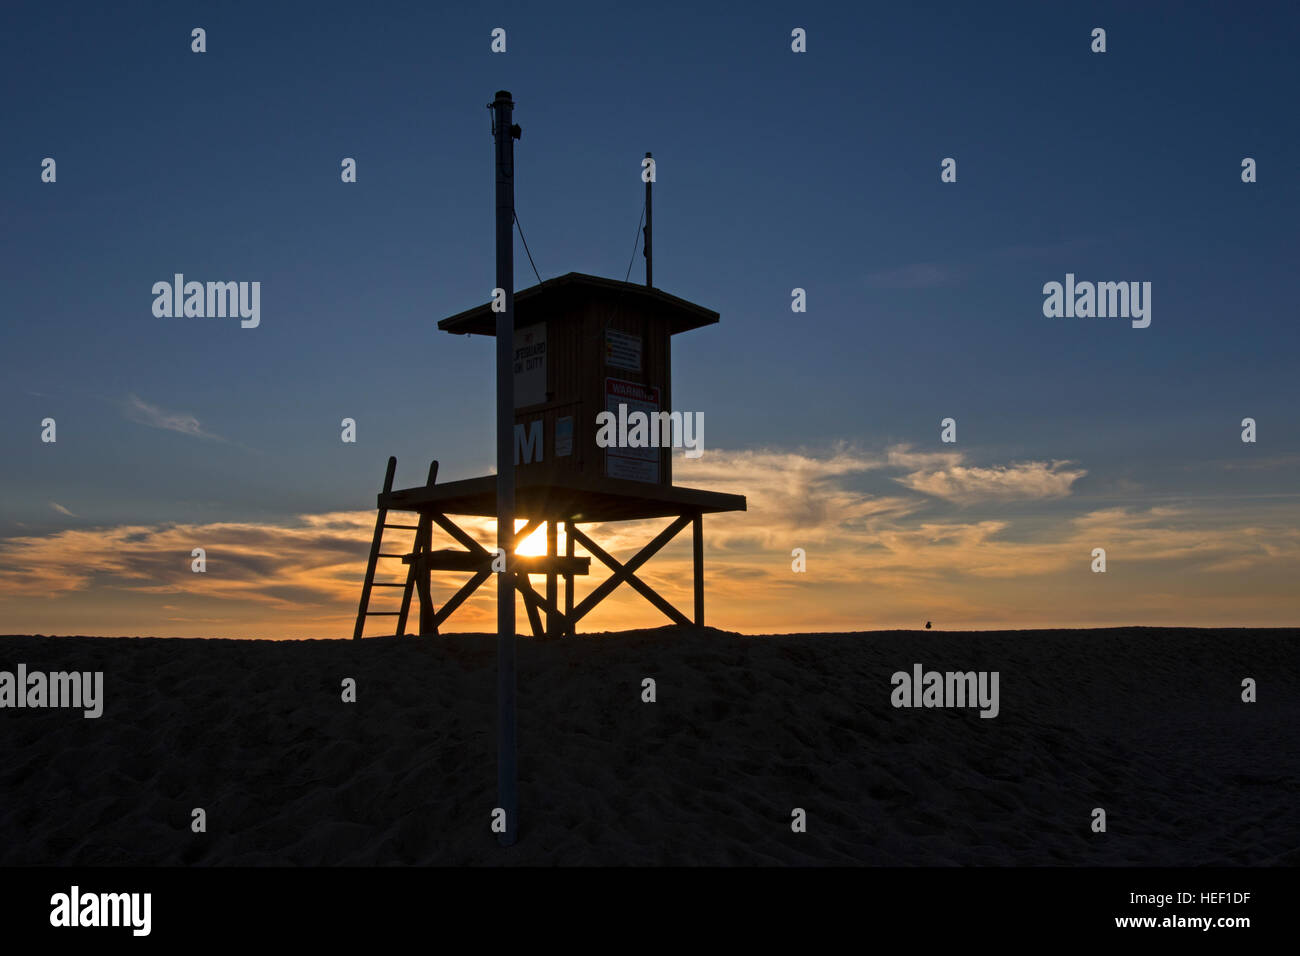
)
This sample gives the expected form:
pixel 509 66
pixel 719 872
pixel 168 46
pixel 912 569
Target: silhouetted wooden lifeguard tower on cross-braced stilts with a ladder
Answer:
pixel 583 345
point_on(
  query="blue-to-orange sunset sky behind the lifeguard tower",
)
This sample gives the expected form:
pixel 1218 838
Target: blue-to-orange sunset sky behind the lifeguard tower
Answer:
pixel 775 171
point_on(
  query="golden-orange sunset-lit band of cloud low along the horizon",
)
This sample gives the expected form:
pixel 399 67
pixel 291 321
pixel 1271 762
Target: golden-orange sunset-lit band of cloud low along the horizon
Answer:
pixel 874 560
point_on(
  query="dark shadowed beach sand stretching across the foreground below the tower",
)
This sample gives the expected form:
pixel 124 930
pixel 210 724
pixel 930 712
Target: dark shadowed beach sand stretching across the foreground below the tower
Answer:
pixel 1147 724
